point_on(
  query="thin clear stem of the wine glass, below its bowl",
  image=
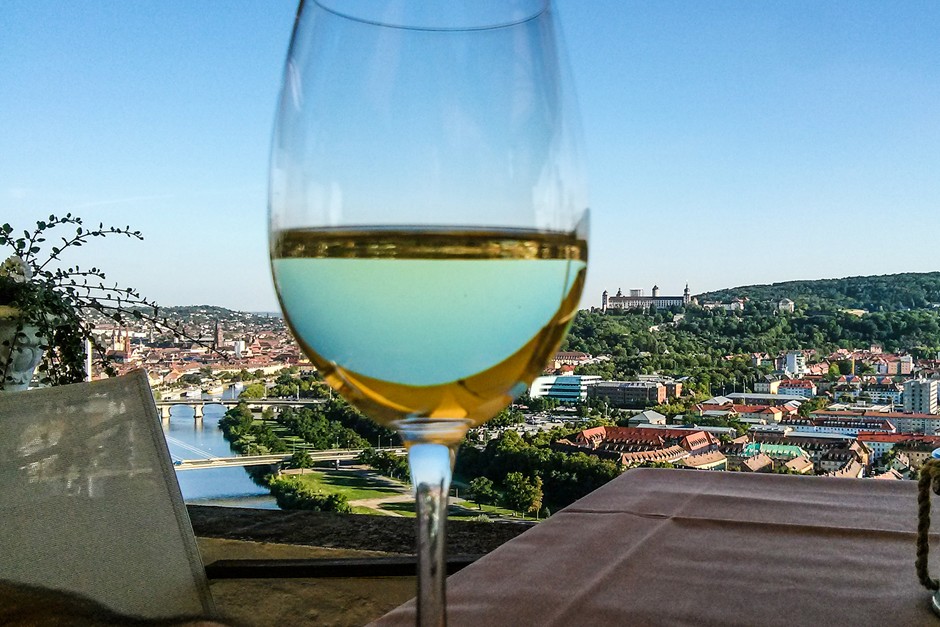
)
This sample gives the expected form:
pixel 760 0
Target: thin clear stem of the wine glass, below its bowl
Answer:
pixel 431 467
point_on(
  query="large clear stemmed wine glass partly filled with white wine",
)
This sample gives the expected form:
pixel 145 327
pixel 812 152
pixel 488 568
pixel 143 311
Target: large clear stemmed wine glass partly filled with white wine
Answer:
pixel 428 219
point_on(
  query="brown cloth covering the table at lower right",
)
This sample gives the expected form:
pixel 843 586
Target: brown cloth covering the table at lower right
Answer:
pixel 674 547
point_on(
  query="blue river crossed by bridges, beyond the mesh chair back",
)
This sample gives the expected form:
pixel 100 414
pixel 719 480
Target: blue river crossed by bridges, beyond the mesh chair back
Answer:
pixel 189 439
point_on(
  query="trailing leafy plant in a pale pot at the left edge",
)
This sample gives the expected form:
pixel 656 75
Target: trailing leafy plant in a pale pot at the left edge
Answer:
pixel 45 308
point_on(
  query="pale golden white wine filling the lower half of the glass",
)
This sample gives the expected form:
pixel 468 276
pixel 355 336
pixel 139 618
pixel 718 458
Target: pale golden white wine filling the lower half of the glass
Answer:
pixel 446 325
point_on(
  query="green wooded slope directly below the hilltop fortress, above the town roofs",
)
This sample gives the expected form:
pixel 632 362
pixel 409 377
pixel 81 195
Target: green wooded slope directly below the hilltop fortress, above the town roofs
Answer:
pixel 713 347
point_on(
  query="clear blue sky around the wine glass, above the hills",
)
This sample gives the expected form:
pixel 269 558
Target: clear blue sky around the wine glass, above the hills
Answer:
pixel 727 142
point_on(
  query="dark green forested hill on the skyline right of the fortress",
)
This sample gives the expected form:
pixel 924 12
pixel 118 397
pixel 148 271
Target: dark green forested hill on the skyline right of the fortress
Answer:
pixel 887 292
